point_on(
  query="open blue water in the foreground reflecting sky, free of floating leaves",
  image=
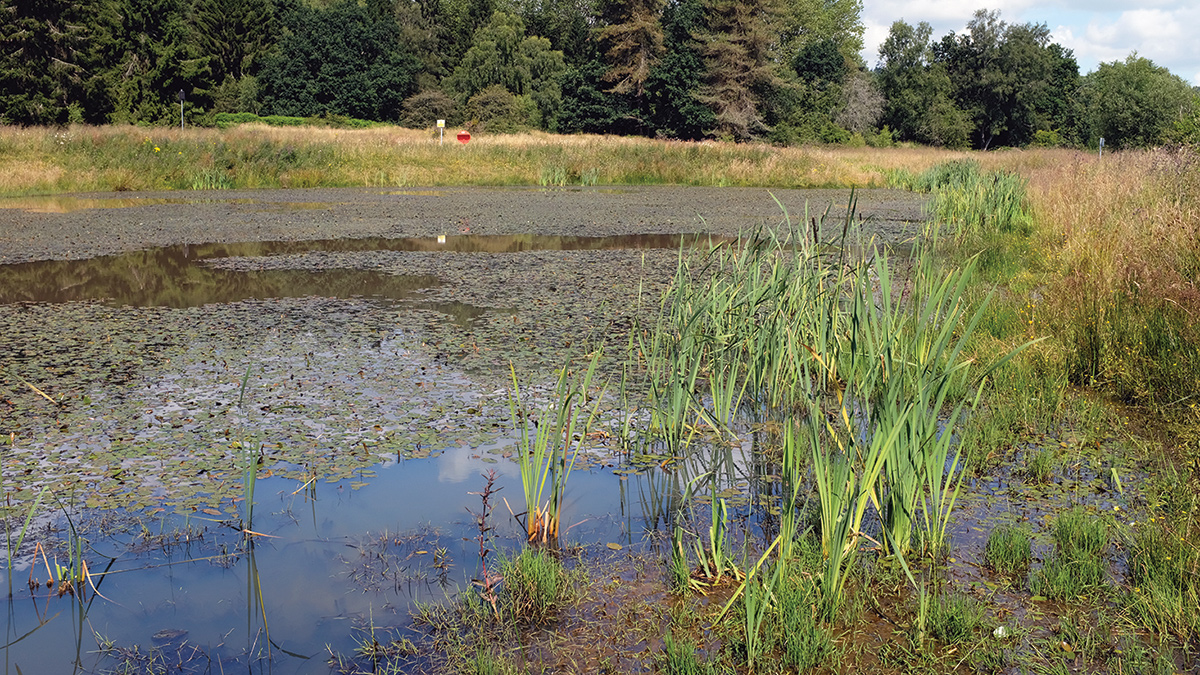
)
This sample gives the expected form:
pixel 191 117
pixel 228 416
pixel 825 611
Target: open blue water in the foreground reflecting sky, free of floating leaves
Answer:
pixel 332 559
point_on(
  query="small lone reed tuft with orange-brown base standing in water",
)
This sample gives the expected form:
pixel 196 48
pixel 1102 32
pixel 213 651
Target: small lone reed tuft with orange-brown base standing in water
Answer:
pixel 549 444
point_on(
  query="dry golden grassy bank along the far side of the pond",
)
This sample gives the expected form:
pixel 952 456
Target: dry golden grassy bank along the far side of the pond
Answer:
pixel 117 159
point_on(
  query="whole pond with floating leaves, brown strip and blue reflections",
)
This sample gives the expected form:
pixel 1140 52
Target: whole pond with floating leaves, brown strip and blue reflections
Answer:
pixel 268 452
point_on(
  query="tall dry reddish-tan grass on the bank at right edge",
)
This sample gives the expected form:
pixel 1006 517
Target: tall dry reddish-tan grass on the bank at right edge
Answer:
pixel 1120 241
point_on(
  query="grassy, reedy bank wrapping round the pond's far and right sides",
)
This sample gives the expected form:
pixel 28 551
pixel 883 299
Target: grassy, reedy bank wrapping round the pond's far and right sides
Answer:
pixel 1042 333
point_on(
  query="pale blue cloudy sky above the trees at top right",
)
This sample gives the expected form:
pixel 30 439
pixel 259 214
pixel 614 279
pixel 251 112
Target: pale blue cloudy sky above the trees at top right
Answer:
pixel 1166 32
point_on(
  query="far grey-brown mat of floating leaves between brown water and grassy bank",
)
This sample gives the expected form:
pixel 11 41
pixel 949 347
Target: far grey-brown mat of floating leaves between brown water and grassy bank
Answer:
pixel 81 226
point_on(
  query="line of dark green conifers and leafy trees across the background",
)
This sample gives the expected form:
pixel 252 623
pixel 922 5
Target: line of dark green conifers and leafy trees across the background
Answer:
pixel 783 71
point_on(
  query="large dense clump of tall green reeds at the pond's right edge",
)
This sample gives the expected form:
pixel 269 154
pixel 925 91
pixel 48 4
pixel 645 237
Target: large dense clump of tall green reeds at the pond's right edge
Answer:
pixel 868 373
